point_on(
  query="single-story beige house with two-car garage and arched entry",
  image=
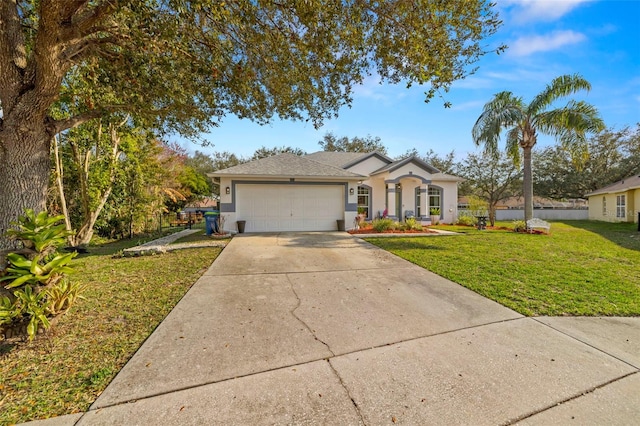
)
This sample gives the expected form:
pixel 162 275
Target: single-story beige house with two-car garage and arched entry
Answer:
pixel 287 192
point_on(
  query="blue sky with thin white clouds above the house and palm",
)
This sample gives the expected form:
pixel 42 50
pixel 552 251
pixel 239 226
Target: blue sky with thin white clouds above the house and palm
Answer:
pixel 598 39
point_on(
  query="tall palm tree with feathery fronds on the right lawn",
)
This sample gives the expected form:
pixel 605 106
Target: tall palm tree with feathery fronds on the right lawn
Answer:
pixel 568 124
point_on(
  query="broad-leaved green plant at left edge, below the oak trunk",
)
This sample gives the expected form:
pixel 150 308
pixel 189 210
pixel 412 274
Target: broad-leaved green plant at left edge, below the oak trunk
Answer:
pixel 36 276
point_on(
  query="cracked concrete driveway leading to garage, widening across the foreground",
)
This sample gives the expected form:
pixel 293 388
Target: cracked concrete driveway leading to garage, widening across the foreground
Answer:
pixel 324 328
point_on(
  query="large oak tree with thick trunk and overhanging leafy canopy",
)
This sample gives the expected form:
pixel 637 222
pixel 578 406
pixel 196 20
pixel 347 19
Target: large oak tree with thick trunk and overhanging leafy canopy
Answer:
pixel 182 65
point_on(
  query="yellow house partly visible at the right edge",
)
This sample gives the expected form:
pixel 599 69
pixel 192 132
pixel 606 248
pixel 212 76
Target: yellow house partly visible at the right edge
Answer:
pixel 618 202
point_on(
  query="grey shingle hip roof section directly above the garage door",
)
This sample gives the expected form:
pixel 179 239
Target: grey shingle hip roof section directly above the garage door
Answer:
pixel 286 165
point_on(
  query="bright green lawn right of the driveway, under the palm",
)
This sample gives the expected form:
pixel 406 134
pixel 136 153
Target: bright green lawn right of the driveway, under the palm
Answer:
pixel 581 268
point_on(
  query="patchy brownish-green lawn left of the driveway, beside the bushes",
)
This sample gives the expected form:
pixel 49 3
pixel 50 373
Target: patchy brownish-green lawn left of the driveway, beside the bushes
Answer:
pixel 65 370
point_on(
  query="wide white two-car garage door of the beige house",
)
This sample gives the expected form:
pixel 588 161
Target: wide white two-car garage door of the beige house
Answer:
pixel 272 208
